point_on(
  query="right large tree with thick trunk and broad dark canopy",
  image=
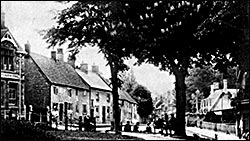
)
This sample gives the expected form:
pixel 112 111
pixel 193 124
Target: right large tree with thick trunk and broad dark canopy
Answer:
pixel 174 35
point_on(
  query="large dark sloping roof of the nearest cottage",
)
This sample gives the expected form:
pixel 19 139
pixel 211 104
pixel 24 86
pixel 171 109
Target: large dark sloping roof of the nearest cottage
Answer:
pixel 58 72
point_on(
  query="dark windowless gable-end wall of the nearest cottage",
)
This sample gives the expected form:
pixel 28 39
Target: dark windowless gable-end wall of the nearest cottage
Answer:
pixel 37 87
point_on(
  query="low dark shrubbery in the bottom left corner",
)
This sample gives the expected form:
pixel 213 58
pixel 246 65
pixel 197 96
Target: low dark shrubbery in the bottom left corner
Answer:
pixel 13 129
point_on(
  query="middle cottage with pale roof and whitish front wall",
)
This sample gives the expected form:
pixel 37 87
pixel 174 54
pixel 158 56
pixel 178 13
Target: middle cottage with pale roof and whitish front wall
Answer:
pixel 101 94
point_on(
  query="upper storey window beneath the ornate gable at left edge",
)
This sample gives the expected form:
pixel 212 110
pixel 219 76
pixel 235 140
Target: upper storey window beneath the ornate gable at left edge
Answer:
pixel 7 56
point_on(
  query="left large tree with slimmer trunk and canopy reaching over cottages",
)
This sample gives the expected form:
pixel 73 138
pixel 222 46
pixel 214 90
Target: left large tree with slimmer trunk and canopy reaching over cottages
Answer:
pixel 101 24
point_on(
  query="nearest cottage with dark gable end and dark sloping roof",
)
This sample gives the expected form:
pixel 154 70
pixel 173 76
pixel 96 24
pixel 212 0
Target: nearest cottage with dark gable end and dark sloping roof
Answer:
pixel 52 85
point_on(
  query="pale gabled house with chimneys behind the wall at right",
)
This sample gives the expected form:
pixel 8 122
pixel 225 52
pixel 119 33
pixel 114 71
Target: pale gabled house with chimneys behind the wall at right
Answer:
pixel 219 102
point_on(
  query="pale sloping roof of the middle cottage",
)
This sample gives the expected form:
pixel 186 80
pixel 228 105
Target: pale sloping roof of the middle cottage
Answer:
pixel 93 80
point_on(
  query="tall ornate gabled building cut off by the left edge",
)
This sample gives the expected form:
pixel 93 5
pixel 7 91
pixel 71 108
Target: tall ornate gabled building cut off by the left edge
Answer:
pixel 12 78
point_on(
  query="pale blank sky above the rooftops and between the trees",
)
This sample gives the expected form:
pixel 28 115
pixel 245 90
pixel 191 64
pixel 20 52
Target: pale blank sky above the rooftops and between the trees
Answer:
pixel 26 18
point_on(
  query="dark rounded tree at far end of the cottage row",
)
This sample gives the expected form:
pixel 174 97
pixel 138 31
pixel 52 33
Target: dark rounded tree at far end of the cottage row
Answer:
pixel 144 100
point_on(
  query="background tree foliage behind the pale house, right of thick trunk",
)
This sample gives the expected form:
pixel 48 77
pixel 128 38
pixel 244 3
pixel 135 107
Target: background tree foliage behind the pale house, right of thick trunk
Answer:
pixel 201 79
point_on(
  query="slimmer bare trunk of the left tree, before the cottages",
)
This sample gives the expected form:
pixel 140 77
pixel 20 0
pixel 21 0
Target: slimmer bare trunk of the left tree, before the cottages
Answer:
pixel 116 113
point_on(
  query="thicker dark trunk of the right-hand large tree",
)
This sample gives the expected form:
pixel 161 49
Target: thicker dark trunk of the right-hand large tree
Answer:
pixel 180 88
